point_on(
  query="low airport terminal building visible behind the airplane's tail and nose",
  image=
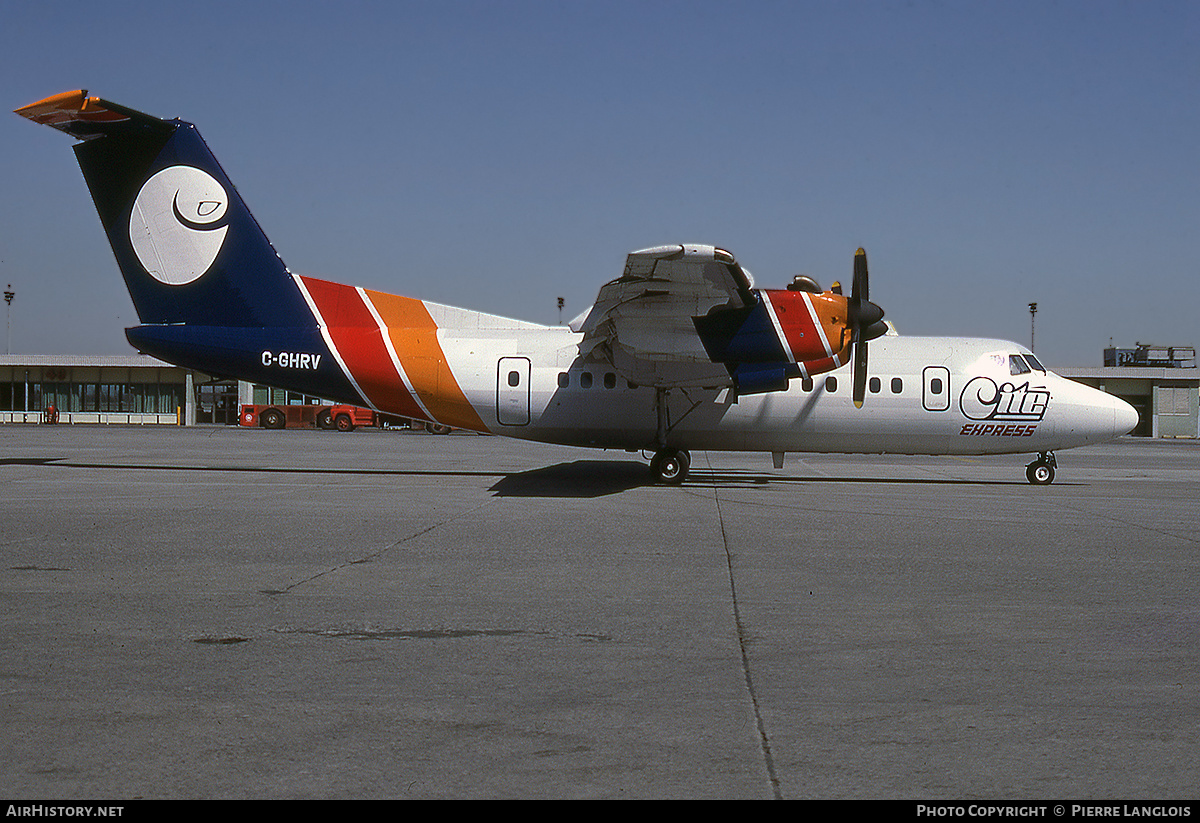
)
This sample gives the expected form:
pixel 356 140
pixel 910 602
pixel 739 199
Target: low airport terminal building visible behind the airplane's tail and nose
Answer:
pixel 141 391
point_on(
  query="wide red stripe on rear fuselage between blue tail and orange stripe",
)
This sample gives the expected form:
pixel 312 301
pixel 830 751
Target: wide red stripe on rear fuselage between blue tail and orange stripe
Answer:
pixel 359 344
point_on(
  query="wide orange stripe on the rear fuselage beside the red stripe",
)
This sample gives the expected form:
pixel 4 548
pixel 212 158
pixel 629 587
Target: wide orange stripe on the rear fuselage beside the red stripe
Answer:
pixel 415 335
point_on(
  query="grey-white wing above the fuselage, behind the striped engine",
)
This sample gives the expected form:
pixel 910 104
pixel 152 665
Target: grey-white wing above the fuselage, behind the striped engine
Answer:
pixel 643 323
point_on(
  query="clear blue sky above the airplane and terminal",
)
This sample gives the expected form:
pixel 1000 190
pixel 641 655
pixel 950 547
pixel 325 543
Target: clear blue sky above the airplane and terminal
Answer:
pixel 500 155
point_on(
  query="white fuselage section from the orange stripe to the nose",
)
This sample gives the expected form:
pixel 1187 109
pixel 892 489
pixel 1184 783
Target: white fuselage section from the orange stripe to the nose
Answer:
pixel 928 395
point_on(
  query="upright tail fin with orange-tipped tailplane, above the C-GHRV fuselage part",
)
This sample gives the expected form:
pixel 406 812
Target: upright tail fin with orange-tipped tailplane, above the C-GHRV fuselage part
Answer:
pixel 188 247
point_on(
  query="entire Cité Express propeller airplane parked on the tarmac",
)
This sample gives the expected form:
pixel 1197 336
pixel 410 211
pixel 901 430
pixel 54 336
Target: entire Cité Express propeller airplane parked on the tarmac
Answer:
pixel 682 352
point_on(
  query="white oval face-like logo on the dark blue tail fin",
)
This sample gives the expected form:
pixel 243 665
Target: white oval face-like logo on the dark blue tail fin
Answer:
pixel 178 224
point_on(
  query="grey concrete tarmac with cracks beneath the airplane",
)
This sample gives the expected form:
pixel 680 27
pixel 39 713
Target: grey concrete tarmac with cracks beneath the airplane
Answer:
pixel 244 614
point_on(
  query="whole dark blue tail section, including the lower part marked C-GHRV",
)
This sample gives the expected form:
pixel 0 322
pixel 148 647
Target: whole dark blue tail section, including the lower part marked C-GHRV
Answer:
pixel 208 287
